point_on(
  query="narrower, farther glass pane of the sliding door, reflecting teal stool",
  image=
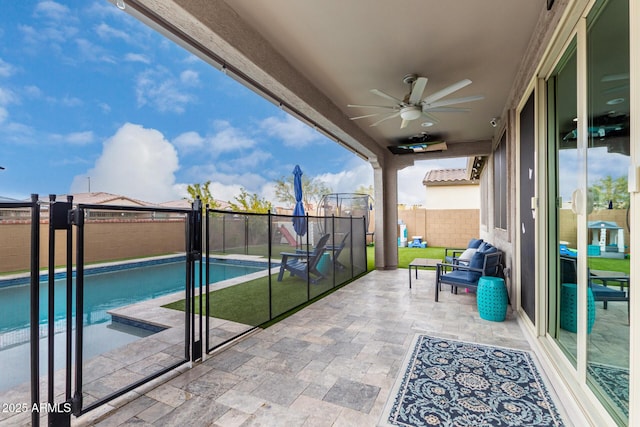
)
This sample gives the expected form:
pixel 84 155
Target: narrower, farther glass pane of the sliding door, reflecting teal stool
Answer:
pixel 563 181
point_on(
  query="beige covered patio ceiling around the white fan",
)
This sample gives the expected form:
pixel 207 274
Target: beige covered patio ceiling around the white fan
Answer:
pixel 314 58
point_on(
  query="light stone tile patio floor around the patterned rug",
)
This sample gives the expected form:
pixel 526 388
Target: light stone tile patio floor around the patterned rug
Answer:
pixel 330 364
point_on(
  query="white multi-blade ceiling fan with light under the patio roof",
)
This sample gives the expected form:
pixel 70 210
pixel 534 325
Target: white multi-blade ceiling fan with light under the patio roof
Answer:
pixel 414 106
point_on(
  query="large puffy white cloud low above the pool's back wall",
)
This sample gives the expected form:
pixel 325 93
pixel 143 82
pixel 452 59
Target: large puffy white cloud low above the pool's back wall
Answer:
pixel 135 162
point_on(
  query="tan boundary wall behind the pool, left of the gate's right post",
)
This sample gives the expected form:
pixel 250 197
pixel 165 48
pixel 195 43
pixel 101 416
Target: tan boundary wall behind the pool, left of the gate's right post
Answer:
pixel 104 241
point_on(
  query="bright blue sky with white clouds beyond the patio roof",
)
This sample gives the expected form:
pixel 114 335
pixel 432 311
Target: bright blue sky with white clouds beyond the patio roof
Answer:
pixel 91 96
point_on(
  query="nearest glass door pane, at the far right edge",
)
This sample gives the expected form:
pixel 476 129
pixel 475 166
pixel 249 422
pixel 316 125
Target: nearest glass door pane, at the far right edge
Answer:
pixel 608 159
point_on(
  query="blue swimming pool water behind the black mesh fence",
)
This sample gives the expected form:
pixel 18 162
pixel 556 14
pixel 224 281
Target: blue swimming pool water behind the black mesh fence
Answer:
pixel 105 288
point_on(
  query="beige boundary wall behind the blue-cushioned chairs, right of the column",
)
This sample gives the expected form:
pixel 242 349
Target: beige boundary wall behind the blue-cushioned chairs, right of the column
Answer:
pixel 449 228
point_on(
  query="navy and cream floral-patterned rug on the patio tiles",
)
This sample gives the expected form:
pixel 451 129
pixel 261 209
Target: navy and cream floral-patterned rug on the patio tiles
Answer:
pixel 454 383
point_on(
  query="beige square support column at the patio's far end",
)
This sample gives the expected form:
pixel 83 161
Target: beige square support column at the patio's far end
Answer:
pixel 385 184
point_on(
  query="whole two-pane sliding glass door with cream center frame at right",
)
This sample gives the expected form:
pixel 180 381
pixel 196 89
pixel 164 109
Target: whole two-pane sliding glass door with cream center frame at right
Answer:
pixel 588 135
